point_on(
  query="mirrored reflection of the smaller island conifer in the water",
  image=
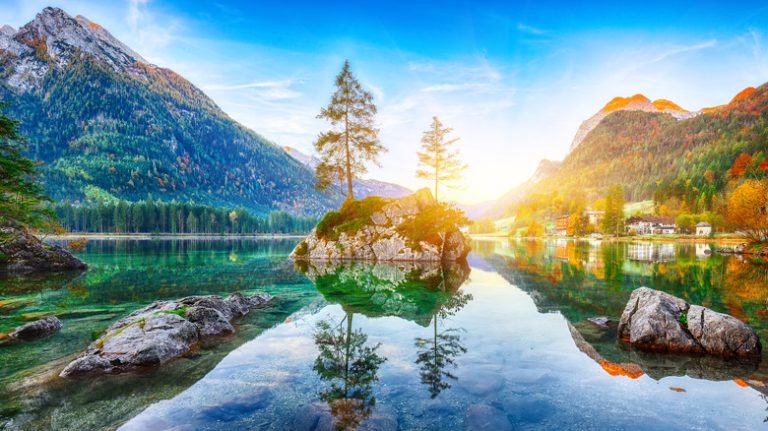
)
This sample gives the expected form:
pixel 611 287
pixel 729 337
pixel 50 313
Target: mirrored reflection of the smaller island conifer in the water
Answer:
pixel 437 355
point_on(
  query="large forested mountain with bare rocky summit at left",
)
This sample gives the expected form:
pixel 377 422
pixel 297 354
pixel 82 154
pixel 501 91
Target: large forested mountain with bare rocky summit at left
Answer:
pixel 107 124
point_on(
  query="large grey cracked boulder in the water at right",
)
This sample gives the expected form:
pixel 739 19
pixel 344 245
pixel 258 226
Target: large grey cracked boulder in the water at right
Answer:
pixel 654 320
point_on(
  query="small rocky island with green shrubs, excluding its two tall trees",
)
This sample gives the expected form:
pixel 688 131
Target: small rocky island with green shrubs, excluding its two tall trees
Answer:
pixel 413 228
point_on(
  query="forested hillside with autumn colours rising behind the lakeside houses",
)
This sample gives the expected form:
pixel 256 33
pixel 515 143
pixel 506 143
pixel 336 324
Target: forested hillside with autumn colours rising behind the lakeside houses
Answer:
pixel 655 155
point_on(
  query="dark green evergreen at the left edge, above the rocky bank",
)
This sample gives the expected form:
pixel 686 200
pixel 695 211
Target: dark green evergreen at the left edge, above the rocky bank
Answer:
pixel 21 197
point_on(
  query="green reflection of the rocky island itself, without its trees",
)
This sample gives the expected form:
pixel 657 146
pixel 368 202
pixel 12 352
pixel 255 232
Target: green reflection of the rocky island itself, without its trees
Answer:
pixel 412 291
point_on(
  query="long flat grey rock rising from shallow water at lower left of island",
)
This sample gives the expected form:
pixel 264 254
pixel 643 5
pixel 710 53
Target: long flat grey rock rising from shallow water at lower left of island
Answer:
pixel 161 331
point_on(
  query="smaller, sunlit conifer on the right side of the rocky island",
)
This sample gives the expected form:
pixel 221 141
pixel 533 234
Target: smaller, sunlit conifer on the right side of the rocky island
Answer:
pixel 437 161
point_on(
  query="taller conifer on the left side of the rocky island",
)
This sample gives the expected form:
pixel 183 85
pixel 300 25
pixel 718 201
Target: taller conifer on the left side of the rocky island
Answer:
pixel 353 139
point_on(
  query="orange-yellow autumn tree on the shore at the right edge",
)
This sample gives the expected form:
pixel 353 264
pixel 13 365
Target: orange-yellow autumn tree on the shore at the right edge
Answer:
pixel 748 210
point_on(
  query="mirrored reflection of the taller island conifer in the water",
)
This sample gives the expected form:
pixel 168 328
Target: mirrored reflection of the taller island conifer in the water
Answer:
pixel 350 366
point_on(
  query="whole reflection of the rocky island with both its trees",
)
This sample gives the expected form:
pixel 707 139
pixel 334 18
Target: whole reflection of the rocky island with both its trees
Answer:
pixel 417 292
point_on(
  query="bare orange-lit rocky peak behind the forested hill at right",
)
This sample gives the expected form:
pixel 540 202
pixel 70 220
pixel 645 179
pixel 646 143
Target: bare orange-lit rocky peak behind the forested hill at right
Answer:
pixel 638 102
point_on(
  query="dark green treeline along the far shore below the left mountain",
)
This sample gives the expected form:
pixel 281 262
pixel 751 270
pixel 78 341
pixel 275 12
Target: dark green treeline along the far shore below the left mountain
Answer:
pixel 175 218
